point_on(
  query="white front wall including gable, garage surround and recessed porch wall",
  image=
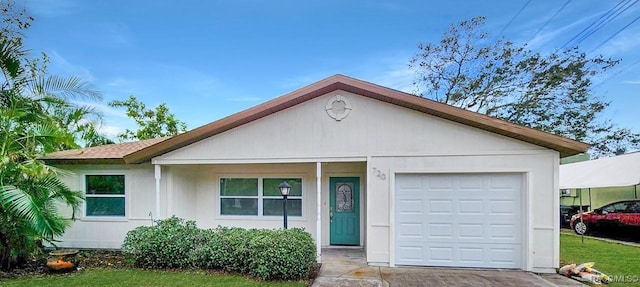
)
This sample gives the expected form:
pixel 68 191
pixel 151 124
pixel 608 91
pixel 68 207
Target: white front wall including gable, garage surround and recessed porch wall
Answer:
pixel 376 138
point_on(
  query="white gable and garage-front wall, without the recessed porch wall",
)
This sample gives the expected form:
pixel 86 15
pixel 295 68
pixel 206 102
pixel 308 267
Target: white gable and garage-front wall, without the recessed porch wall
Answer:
pixel 392 140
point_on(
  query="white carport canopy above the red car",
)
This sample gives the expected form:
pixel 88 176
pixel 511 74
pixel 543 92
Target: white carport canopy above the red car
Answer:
pixel 622 170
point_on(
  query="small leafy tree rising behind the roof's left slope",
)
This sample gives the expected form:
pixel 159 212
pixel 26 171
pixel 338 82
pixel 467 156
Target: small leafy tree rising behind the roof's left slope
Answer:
pixel 151 123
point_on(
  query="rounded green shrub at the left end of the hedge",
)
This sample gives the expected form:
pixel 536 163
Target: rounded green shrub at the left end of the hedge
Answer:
pixel 168 244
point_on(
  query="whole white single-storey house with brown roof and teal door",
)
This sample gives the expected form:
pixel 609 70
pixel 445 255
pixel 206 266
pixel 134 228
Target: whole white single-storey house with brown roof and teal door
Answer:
pixel 413 181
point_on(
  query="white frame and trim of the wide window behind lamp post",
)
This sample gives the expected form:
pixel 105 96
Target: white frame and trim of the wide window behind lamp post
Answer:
pixel 261 197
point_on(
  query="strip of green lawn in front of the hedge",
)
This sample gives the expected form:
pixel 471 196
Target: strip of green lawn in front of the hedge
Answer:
pixel 137 277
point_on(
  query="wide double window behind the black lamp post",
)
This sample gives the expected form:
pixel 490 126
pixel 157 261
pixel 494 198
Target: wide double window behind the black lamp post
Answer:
pixel 259 196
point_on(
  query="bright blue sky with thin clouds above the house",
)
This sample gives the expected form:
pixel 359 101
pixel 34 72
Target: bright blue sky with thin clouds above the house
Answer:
pixel 210 59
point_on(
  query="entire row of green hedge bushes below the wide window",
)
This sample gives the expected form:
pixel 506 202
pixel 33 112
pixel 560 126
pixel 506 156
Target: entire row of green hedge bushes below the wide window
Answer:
pixel 266 254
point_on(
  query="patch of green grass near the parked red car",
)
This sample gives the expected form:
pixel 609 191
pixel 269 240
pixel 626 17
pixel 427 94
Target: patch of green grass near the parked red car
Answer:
pixel 615 260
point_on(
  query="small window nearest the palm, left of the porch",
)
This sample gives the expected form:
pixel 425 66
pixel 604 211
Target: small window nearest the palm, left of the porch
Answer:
pixel 104 195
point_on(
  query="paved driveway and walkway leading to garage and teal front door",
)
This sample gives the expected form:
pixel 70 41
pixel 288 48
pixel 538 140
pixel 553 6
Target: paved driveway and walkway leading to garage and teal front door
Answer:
pixel 348 267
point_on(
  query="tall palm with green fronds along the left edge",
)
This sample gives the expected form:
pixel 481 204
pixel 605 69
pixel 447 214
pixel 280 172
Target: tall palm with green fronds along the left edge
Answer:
pixel 30 192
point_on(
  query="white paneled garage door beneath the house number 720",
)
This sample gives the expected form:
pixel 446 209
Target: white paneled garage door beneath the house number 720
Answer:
pixel 458 220
